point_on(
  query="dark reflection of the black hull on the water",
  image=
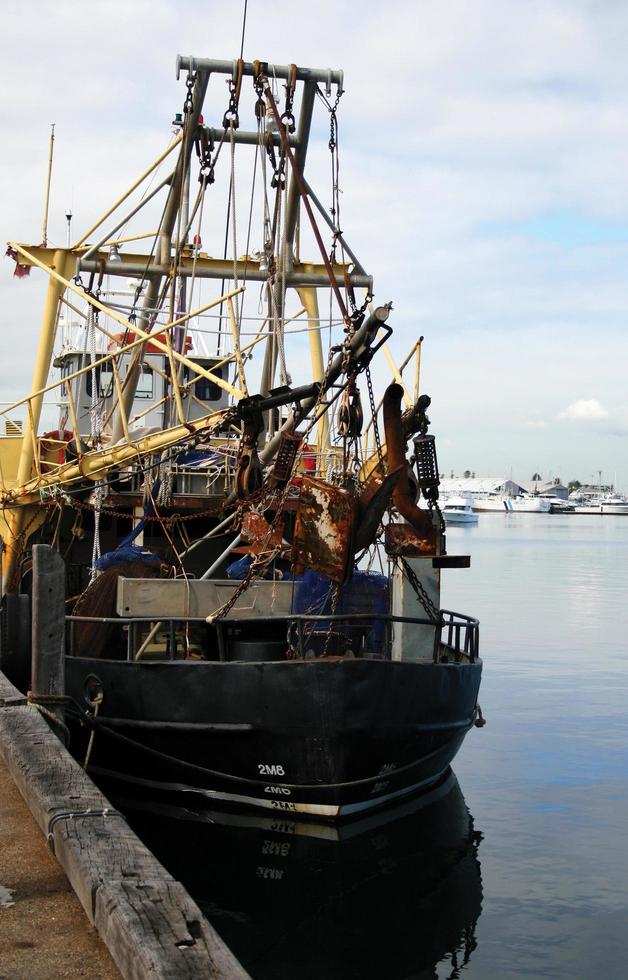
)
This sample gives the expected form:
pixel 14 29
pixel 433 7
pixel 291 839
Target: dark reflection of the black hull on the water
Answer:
pixel 391 895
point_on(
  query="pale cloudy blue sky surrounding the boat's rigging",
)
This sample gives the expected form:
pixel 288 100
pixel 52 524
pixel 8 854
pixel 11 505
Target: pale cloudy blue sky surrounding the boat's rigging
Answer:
pixel 484 176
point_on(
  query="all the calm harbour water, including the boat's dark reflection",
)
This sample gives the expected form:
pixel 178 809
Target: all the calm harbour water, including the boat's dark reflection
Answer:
pixel 530 877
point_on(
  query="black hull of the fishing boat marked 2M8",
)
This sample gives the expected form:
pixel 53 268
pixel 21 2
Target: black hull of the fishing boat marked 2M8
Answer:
pixel 327 737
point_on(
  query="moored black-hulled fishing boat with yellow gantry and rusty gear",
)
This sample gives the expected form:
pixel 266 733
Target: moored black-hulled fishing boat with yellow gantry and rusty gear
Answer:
pixel 253 592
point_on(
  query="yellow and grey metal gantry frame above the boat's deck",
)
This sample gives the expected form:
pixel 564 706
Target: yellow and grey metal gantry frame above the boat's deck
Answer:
pixel 61 264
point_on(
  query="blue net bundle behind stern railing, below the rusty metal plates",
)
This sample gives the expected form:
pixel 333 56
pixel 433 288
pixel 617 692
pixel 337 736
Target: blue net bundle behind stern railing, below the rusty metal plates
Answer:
pixel 365 593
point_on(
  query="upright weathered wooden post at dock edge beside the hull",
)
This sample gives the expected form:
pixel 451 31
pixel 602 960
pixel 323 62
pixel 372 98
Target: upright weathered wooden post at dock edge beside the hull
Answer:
pixel 48 636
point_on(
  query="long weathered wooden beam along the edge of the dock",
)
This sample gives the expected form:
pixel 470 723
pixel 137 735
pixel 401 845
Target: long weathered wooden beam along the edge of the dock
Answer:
pixel 152 927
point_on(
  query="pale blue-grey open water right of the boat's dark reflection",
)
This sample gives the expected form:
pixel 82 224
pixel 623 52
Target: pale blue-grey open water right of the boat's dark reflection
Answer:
pixel 547 778
